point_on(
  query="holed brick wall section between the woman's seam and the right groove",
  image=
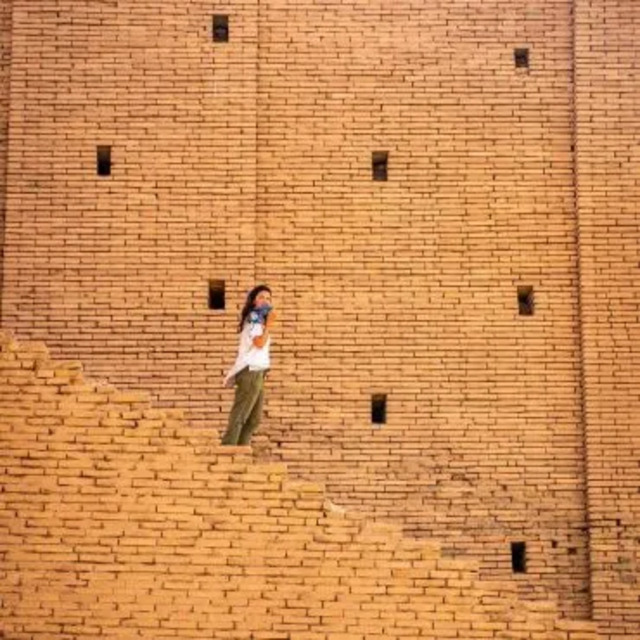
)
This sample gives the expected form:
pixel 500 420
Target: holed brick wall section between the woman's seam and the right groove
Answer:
pixel 408 287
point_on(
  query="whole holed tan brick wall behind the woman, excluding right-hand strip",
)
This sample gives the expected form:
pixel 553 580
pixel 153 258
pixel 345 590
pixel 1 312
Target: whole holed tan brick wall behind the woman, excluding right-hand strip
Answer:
pixel 253 159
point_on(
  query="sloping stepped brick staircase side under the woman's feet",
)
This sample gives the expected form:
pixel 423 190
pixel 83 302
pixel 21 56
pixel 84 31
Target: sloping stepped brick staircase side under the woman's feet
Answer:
pixel 117 520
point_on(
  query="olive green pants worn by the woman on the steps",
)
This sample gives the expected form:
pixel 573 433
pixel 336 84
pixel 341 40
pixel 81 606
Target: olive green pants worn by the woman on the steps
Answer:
pixel 247 407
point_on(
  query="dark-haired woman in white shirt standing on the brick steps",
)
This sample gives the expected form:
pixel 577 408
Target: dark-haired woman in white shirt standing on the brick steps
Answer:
pixel 251 365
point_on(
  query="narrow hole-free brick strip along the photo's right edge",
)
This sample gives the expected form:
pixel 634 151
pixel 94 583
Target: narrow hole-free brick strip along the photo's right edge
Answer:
pixel 608 161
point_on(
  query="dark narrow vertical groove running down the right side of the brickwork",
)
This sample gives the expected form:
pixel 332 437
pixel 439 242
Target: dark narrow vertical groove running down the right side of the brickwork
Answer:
pixel 576 208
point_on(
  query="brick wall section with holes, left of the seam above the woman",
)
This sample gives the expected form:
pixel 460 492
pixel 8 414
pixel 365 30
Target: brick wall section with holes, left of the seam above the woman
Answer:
pixel 115 269
